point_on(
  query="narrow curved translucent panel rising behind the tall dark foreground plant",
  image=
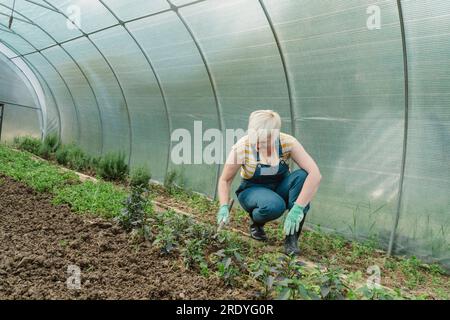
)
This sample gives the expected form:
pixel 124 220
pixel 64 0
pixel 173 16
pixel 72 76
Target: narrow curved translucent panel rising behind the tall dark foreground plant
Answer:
pixel 148 114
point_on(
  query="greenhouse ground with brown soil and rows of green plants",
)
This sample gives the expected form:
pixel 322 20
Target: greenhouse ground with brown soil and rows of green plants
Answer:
pixel 52 218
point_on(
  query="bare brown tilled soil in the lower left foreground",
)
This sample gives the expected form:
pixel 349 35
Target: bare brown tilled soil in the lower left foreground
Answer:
pixel 39 241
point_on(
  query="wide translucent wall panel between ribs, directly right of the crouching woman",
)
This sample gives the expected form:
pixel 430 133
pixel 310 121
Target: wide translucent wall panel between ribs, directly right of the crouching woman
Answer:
pixel 349 108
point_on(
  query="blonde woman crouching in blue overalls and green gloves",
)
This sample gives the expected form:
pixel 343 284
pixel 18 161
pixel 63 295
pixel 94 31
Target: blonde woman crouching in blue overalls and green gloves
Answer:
pixel 268 187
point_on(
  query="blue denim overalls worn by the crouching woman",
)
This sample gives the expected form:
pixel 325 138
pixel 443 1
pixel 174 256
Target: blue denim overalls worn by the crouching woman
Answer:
pixel 271 190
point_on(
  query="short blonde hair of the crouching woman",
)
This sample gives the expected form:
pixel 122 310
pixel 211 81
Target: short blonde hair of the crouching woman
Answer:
pixel 263 123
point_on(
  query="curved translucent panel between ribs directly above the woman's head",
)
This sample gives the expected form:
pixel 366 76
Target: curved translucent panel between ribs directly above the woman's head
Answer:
pixel 243 57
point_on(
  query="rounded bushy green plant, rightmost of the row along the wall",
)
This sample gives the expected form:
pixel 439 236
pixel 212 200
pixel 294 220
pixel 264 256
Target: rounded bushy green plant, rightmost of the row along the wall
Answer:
pixel 113 167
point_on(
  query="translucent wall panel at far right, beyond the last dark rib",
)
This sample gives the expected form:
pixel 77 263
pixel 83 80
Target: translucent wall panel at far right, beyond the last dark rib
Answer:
pixel 424 226
